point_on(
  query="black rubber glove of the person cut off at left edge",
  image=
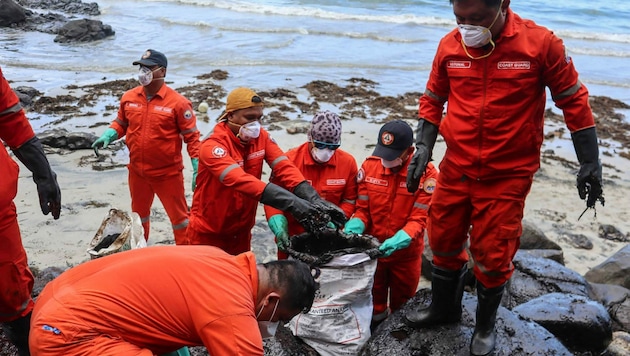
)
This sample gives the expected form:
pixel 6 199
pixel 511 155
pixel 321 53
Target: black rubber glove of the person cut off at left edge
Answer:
pixel 31 154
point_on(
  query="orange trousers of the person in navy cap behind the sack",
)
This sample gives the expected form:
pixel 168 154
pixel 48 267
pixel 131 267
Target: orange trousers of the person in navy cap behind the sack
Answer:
pixel 396 281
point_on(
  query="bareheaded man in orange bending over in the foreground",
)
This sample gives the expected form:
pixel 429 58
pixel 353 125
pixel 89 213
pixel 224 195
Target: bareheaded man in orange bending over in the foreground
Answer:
pixel 157 299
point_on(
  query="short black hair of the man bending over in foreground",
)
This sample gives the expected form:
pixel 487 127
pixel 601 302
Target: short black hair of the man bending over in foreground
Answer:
pixel 295 280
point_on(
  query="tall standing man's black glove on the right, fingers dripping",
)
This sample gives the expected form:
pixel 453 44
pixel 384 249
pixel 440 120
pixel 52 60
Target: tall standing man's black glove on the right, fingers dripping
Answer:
pixel 589 179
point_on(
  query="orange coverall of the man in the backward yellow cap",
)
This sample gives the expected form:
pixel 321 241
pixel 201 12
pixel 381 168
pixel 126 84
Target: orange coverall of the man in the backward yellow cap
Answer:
pixel 229 188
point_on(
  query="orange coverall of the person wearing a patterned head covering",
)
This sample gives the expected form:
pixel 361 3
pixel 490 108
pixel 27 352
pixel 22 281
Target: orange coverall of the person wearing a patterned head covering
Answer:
pixel 335 181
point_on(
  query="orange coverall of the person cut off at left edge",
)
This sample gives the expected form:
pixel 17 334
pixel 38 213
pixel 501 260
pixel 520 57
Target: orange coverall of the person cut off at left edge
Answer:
pixel 16 279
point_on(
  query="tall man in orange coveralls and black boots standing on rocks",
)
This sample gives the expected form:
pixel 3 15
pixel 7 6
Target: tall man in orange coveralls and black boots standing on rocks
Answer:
pixel 492 70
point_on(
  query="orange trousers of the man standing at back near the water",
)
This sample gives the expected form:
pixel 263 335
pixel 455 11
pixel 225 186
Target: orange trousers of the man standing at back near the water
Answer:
pixel 170 191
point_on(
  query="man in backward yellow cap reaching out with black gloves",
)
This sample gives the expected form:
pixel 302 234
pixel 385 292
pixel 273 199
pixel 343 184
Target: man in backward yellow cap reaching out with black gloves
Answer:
pixel 229 188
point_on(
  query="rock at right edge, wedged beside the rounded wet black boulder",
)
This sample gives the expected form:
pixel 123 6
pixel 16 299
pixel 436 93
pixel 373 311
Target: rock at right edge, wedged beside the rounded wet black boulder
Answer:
pixel 616 300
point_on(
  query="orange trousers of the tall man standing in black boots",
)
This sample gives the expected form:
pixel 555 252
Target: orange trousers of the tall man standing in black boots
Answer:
pixel 488 212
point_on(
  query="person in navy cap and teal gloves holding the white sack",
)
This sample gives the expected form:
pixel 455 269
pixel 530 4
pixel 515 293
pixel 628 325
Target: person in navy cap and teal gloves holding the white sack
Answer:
pixel 397 218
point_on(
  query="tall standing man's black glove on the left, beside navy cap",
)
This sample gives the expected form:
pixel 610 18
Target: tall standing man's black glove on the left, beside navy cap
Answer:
pixel 426 135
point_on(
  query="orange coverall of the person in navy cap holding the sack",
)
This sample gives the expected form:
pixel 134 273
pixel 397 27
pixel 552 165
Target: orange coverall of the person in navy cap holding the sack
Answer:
pixel 385 206
